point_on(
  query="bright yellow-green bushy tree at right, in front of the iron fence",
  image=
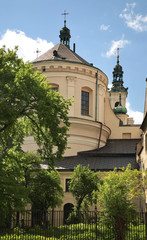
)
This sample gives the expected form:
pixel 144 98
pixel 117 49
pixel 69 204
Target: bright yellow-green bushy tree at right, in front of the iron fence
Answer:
pixel 116 197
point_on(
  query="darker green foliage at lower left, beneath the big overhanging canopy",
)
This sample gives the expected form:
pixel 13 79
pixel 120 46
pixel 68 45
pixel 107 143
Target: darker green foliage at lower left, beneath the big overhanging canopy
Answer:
pixel 18 169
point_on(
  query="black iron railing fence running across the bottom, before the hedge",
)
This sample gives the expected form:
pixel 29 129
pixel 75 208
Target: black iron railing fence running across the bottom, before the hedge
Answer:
pixel 44 225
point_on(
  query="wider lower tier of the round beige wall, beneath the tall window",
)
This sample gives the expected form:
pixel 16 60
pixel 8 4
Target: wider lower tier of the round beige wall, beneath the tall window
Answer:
pixel 86 135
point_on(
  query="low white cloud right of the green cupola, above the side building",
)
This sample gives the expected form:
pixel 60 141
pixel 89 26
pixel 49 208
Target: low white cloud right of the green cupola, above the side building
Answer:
pixel 137 116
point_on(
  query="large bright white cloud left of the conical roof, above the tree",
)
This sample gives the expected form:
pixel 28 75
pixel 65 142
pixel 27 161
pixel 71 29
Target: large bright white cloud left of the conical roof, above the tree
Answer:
pixel 27 46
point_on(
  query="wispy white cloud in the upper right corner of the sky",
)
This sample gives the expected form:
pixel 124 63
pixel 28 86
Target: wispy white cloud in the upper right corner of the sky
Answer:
pixel 138 22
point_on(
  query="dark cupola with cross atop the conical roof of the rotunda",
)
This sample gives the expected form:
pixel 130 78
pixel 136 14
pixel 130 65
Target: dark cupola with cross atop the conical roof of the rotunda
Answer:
pixel 65 33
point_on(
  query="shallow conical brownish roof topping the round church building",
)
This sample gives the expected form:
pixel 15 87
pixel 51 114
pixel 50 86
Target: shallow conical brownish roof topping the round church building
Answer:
pixel 60 52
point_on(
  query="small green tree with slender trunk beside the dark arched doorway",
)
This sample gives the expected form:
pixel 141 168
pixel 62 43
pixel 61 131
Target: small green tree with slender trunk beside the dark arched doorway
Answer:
pixel 83 183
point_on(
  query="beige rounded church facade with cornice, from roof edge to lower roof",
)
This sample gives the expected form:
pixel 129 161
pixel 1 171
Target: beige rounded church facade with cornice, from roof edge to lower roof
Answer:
pixel 92 131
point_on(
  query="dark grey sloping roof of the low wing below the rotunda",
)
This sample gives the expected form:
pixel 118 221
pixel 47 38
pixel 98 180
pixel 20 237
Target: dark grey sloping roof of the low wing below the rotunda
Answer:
pixel 116 154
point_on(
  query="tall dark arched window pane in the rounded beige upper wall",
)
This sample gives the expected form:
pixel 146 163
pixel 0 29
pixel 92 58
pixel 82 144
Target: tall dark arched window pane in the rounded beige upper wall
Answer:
pixel 85 103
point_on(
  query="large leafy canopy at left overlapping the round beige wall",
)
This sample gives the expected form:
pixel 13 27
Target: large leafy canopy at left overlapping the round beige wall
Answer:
pixel 29 106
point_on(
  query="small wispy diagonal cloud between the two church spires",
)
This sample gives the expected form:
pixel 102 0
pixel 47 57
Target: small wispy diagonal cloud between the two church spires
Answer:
pixel 114 45
